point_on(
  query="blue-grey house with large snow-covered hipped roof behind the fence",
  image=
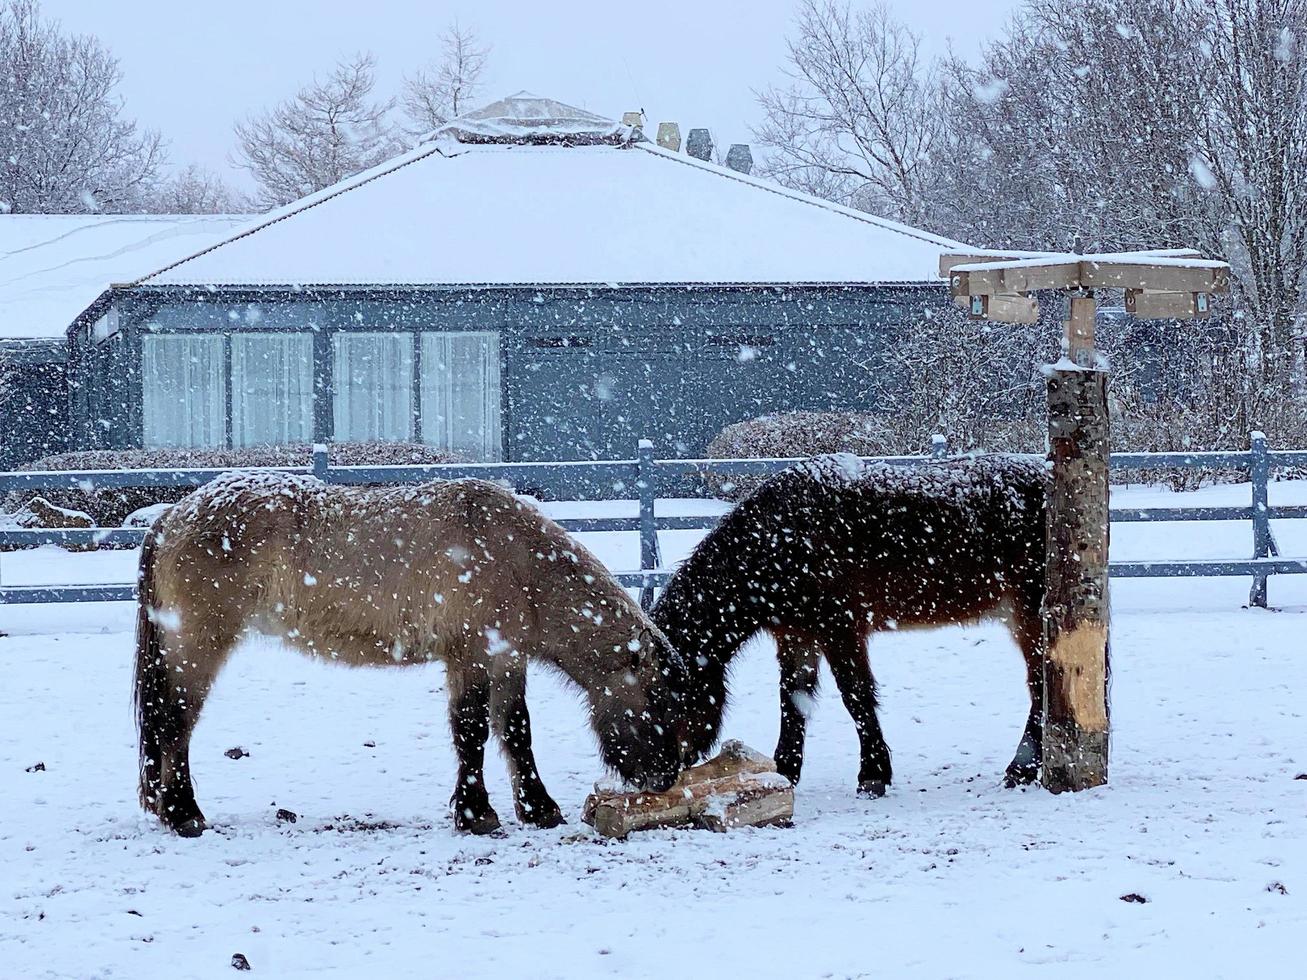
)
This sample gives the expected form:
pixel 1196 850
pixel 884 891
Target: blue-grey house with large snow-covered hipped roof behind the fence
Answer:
pixel 531 283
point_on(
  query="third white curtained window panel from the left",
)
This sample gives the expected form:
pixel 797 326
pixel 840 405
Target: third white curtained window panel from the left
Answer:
pixel 374 387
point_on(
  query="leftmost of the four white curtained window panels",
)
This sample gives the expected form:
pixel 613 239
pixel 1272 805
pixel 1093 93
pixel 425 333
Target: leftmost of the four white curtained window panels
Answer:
pixel 185 390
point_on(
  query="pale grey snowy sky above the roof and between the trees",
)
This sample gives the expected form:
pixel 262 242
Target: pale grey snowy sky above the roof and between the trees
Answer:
pixel 193 70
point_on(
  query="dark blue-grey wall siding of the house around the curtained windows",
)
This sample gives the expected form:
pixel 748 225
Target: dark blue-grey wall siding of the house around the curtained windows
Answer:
pixel 585 372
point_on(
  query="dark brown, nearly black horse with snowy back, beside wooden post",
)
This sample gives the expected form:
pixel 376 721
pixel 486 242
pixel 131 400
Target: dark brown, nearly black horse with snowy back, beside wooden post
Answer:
pixel 832 551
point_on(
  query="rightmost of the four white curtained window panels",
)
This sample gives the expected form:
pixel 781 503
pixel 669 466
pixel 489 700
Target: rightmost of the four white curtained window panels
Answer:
pixel 461 394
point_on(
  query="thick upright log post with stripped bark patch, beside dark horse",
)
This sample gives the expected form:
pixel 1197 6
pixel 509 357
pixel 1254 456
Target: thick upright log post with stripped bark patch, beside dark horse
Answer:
pixel 1076 600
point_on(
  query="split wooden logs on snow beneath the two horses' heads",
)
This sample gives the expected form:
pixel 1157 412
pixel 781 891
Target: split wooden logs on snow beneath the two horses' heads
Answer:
pixel 736 789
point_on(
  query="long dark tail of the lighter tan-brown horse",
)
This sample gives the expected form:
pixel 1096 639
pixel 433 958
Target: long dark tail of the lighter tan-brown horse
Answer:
pixel 151 689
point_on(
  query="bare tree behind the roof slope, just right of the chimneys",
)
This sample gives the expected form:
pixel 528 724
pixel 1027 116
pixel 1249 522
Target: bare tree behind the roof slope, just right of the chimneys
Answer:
pixel 861 118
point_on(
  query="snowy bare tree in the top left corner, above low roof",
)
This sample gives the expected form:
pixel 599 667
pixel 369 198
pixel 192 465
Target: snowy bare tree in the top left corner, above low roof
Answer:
pixel 66 146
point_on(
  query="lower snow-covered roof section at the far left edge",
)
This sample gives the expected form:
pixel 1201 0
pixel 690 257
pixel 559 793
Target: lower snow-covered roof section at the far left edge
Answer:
pixel 56 266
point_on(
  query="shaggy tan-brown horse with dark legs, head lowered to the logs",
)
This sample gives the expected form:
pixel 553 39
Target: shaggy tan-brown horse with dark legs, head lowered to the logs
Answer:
pixel 463 573
